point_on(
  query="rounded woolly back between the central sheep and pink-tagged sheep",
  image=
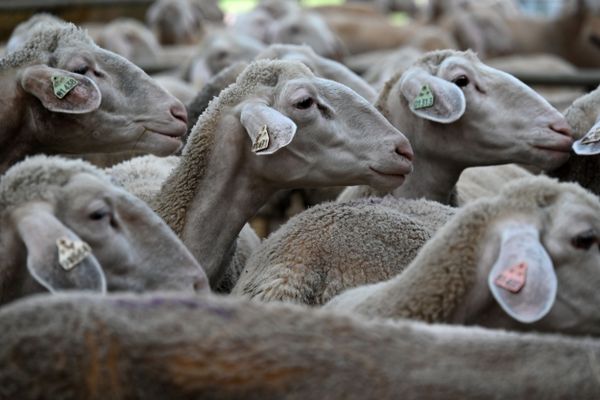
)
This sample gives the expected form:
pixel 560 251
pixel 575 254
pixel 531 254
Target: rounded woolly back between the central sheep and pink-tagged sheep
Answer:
pixel 336 246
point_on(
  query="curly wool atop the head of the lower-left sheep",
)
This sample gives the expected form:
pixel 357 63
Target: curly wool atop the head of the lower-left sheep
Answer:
pixel 35 178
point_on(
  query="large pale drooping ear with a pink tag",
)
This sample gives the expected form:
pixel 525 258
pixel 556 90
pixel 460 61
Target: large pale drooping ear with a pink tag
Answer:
pixel 523 280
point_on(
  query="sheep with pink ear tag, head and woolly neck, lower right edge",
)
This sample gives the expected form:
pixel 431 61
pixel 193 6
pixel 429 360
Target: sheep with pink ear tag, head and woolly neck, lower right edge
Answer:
pixel 526 260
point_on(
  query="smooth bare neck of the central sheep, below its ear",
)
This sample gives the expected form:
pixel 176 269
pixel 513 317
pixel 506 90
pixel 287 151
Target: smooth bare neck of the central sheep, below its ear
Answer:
pixel 225 197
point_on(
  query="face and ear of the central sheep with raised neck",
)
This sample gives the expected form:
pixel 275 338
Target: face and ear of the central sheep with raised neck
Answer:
pixel 315 121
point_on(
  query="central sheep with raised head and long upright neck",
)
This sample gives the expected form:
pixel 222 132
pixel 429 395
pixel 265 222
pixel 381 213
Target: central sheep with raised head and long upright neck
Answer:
pixel 241 149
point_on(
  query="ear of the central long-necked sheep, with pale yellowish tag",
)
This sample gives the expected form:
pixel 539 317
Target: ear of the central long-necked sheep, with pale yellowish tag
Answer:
pixel 268 129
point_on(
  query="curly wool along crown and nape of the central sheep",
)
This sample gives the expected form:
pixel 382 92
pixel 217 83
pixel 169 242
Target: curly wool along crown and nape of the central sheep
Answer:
pixel 179 189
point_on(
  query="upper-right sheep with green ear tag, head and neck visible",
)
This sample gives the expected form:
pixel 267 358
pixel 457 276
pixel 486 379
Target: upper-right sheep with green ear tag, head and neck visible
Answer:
pixel 479 116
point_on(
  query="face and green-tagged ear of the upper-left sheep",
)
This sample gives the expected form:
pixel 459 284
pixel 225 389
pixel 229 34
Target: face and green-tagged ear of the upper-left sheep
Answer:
pixel 115 106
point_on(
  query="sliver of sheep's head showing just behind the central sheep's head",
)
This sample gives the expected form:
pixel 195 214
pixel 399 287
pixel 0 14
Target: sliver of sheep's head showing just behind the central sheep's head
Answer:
pixel 320 66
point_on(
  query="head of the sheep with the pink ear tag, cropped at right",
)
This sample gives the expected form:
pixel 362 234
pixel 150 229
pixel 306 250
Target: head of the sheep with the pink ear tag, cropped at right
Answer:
pixel 561 265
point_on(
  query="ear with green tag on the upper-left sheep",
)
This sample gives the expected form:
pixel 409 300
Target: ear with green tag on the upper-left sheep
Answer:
pixel 61 91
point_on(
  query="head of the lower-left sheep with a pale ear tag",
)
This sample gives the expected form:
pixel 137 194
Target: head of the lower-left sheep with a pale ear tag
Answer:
pixel 128 246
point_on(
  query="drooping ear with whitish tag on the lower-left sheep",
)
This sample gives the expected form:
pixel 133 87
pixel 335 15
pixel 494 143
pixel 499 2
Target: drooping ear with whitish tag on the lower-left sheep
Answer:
pixel 56 257
